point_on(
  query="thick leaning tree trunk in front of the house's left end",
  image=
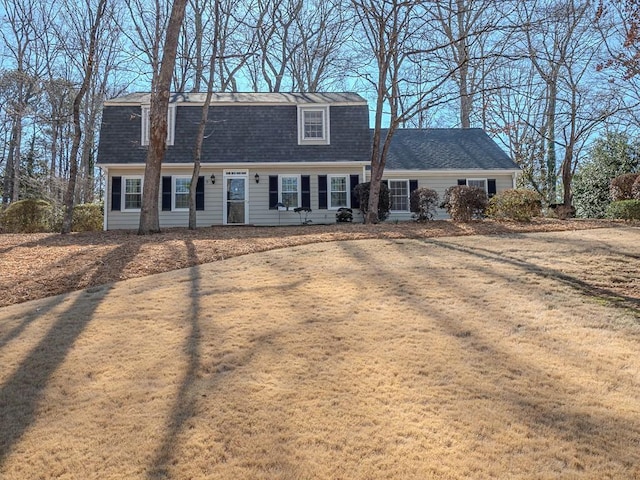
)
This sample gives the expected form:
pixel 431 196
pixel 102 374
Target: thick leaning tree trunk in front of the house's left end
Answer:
pixel 149 215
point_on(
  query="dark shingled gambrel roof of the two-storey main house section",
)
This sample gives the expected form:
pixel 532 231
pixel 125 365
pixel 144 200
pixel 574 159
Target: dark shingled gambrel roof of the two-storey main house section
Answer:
pixel 241 128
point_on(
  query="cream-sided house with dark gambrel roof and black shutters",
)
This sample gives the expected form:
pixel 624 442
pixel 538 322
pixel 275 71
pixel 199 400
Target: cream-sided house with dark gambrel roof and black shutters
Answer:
pixel 265 154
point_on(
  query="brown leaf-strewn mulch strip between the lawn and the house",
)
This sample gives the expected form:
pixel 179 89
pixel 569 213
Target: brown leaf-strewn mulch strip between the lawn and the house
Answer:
pixel 40 265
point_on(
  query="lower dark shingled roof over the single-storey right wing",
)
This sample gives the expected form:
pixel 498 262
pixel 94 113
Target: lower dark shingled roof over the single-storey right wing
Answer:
pixel 446 149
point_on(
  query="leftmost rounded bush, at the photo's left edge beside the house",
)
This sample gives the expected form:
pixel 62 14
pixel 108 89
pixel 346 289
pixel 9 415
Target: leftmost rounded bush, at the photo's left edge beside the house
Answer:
pixel 28 216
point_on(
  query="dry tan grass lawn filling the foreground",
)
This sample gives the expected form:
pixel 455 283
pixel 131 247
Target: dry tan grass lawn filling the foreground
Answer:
pixel 448 358
